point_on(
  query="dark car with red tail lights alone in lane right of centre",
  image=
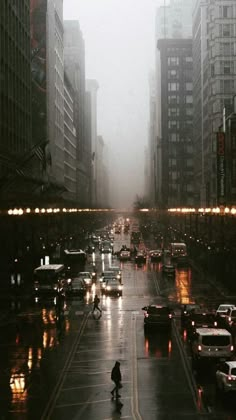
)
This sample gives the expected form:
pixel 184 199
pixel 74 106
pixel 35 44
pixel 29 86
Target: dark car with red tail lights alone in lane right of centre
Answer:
pixel 158 316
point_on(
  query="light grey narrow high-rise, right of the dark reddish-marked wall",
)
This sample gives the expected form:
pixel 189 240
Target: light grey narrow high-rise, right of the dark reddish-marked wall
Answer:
pixel 55 92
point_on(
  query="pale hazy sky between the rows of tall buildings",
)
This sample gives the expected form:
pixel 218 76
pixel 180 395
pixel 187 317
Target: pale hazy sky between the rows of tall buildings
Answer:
pixel 119 51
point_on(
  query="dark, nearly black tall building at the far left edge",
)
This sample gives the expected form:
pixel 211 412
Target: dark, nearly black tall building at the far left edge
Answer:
pixel 16 177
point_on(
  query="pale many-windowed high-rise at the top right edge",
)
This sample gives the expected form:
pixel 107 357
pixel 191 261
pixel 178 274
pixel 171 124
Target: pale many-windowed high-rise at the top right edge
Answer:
pixel 214 62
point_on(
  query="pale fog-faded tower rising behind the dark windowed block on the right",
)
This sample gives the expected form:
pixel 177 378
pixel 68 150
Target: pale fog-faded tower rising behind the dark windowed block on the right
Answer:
pixel 173 21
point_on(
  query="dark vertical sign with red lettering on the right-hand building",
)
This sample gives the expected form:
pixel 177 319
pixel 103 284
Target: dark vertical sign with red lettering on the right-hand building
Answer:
pixel 221 180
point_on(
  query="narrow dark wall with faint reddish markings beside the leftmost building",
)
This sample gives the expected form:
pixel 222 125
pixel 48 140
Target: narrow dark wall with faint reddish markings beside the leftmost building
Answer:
pixel 38 11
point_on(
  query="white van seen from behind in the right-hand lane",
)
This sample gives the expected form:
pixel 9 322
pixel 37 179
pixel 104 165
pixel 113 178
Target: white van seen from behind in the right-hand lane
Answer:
pixel 212 343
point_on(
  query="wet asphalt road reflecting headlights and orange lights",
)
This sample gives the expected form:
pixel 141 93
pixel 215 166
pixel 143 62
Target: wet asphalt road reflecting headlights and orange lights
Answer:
pixel 62 370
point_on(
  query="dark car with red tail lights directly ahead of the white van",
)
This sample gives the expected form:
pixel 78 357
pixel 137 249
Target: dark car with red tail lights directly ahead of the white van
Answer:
pixel 198 319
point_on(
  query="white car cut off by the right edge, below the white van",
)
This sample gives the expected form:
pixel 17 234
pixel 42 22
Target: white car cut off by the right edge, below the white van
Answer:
pixel 226 376
